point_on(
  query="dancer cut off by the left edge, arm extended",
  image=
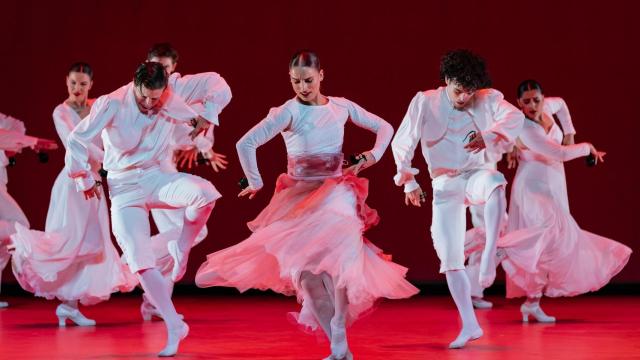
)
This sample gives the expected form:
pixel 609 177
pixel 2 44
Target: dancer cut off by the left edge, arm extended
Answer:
pixel 12 141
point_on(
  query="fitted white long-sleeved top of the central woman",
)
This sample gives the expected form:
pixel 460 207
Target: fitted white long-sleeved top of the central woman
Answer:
pixel 309 130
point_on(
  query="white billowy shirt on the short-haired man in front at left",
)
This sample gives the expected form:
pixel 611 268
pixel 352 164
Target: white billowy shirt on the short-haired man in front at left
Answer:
pixel 131 138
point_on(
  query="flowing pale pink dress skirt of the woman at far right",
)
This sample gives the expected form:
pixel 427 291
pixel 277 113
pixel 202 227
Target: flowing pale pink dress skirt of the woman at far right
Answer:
pixel 558 258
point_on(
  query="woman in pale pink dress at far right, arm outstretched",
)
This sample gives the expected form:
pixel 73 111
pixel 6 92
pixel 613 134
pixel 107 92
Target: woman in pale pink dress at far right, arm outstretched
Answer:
pixel 568 260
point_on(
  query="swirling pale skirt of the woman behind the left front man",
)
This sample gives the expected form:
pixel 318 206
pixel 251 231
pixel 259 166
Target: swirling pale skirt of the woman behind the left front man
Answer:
pixel 75 258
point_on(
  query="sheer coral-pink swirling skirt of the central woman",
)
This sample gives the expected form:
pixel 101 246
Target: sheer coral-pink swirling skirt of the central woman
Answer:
pixel 311 226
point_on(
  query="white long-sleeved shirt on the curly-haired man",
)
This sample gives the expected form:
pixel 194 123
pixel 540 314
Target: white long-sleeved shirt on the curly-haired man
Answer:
pixel 429 121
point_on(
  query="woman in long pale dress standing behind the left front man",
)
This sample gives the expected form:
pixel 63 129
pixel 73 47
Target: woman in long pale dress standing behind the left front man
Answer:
pixel 74 259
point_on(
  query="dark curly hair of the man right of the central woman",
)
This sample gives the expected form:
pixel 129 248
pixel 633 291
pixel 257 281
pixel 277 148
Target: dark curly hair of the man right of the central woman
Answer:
pixel 465 68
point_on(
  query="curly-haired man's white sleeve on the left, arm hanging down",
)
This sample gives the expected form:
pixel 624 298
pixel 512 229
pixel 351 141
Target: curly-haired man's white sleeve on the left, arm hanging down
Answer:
pixel 405 142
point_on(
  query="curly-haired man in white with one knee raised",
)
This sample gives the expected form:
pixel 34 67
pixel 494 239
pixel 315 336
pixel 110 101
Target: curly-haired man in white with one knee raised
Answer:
pixel 464 128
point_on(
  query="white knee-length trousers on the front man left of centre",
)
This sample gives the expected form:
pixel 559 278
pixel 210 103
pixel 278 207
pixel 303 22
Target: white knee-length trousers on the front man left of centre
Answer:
pixel 135 192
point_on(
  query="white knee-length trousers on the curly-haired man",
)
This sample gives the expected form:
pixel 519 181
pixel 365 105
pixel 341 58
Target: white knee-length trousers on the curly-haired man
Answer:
pixel 451 197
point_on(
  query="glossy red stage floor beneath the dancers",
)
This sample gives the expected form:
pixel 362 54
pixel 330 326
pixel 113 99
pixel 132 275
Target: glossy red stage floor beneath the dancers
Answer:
pixel 255 327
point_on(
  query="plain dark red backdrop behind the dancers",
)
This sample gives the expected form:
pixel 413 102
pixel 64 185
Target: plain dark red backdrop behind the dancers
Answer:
pixel 378 55
